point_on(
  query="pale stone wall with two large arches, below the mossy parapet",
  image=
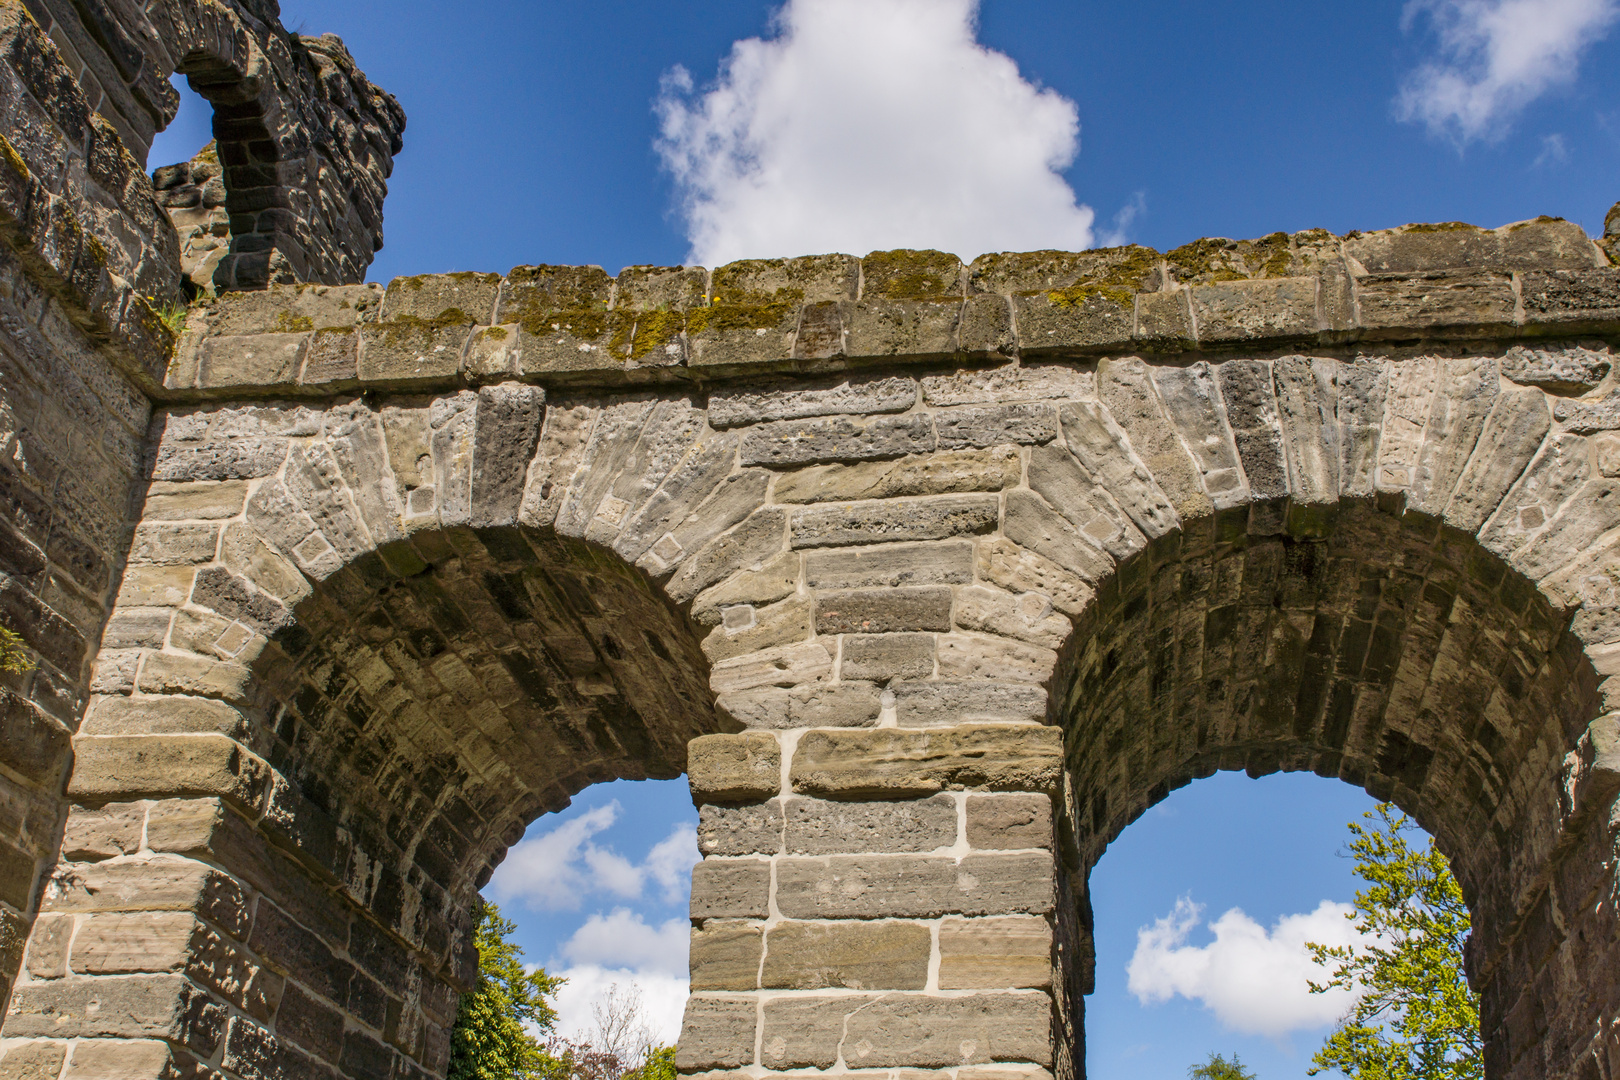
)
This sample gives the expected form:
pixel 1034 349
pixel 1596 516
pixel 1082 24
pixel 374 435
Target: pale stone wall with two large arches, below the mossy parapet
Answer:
pixel 929 602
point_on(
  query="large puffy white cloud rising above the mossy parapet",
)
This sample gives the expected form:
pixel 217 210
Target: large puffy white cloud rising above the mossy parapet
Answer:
pixel 868 125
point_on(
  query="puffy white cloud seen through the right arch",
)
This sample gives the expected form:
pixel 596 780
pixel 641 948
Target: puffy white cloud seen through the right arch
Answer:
pixel 1251 979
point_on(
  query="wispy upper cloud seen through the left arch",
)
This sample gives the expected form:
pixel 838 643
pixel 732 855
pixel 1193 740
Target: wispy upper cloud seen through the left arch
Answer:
pixel 558 870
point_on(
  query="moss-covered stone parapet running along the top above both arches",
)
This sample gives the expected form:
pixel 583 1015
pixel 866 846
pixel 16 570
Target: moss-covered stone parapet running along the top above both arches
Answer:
pixel 579 326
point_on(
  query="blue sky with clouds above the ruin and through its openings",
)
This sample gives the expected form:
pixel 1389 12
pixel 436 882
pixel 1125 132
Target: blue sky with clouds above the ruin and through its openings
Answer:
pixel 633 132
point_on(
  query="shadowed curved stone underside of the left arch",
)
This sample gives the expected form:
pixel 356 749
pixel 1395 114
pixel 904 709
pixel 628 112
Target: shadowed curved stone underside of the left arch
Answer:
pixel 435 699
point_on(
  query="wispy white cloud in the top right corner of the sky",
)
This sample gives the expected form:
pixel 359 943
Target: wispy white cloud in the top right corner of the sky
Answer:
pixel 1496 59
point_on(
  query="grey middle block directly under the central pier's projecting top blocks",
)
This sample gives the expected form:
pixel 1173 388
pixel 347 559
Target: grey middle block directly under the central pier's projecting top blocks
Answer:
pixel 830 828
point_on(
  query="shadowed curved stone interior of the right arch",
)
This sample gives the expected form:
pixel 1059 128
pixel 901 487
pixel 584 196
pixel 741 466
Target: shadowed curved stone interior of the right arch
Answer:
pixel 1392 653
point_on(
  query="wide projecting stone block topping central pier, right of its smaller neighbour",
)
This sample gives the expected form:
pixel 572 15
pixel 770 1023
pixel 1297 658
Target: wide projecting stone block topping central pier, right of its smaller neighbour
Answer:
pixel 890 763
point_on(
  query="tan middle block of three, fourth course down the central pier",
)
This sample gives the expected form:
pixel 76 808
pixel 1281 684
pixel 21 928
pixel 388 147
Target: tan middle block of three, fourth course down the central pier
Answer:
pixel 856 956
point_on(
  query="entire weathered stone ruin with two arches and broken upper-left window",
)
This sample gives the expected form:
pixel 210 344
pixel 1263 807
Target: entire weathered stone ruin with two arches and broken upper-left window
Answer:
pixel 931 577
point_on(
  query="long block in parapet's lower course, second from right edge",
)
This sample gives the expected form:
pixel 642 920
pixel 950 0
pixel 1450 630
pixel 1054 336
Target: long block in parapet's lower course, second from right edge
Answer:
pixel 1464 302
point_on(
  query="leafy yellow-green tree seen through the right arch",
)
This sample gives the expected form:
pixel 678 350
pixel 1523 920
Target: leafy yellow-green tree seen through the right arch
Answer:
pixel 1415 1016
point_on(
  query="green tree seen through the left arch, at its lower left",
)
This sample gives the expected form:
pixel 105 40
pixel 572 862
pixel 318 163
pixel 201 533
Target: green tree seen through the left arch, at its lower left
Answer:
pixel 490 1040
